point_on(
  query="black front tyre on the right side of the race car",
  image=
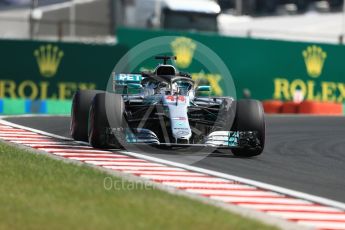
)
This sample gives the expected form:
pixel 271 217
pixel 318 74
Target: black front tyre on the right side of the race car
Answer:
pixel 250 117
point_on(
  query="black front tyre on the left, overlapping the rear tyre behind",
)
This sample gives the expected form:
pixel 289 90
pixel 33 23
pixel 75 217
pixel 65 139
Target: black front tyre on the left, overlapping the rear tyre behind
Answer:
pixel 106 111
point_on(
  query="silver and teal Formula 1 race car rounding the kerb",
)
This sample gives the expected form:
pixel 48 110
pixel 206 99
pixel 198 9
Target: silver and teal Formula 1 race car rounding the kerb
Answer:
pixel 166 108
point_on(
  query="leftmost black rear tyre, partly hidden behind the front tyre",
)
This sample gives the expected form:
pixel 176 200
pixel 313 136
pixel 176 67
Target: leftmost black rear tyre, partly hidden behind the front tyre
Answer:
pixel 79 114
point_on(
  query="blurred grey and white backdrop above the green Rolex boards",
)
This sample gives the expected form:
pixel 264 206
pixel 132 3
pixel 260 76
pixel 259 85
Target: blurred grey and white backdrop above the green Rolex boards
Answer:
pixel 97 20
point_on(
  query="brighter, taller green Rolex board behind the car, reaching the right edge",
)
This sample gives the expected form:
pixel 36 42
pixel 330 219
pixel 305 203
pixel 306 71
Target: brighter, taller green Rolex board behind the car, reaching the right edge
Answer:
pixel 268 69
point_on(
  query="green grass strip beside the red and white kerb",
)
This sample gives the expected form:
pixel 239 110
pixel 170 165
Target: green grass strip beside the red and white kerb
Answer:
pixel 38 192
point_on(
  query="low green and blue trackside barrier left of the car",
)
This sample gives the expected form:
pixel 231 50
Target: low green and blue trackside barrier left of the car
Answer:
pixel 27 106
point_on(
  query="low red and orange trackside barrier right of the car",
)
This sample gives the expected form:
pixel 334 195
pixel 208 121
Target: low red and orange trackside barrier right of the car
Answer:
pixel 305 107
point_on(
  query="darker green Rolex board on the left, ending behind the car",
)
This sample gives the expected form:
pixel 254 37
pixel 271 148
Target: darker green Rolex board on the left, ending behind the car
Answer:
pixel 49 70
